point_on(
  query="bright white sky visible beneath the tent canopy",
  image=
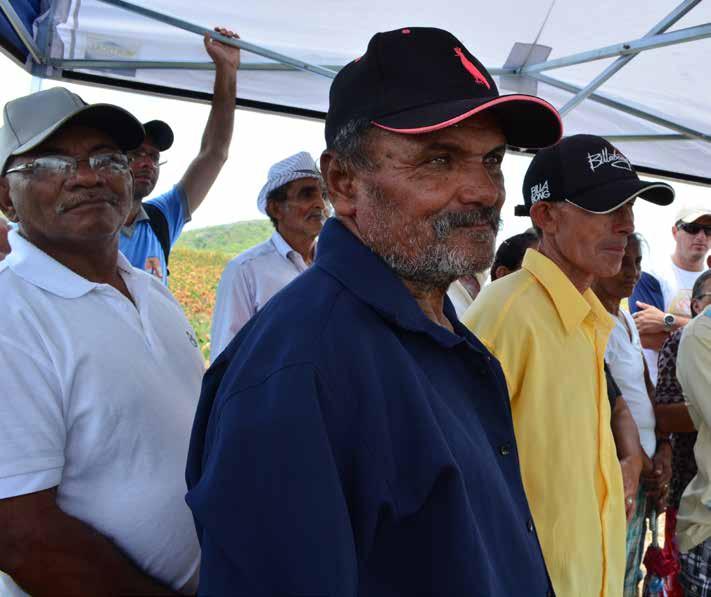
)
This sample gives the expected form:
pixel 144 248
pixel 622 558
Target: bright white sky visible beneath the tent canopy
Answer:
pixel 260 139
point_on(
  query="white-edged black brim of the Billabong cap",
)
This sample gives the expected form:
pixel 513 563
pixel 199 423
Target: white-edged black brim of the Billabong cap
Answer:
pixel 609 197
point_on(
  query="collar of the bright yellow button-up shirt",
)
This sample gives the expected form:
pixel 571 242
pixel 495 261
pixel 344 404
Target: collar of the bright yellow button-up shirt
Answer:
pixel 572 306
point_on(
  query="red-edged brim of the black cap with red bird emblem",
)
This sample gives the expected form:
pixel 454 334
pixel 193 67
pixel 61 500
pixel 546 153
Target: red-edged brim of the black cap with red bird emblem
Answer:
pixel 527 121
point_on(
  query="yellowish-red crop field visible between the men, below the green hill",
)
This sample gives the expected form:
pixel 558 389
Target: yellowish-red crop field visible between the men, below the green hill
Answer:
pixel 194 276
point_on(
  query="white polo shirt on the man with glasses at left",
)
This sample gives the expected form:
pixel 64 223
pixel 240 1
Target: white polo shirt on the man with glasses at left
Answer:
pixel 98 399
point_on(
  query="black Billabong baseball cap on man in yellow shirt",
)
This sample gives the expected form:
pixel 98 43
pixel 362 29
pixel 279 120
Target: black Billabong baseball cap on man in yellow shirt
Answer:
pixel 589 172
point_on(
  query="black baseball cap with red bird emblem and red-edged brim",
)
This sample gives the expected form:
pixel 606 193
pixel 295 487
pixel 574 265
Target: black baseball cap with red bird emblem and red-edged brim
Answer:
pixel 420 79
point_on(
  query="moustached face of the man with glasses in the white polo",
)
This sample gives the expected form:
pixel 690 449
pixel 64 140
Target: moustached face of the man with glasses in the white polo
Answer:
pixel 56 208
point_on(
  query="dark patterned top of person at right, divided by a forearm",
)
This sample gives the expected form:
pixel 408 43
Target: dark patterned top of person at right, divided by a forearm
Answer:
pixel 669 392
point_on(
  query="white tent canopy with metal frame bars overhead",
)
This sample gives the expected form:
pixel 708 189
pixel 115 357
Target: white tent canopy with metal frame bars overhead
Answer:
pixel 656 107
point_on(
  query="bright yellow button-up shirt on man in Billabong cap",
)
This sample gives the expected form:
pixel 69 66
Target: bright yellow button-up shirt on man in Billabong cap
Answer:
pixel 551 340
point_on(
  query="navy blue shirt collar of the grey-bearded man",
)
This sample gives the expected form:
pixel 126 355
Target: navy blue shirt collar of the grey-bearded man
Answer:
pixel 367 276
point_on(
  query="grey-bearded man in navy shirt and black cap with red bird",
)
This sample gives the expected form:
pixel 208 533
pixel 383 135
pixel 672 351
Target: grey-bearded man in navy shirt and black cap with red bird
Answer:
pixel 355 438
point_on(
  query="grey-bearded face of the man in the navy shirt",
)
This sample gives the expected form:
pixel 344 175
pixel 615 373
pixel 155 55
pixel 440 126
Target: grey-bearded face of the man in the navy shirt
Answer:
pixel 431 207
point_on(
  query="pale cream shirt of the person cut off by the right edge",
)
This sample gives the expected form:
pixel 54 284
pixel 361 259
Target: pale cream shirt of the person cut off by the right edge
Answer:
pixel 693 368
